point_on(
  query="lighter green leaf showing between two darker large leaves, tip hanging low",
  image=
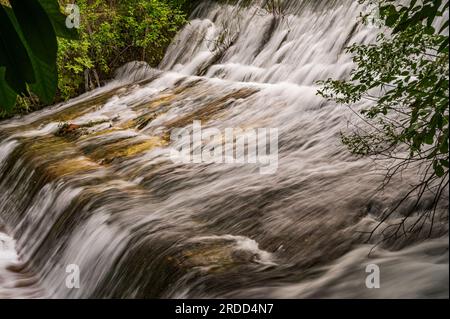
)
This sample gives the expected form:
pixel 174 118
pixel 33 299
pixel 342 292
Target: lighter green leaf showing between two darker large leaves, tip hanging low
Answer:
pixel 45 73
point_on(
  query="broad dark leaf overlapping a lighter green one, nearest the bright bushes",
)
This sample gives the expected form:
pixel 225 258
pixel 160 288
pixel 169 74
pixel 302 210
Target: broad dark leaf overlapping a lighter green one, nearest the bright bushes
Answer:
pixel 37 29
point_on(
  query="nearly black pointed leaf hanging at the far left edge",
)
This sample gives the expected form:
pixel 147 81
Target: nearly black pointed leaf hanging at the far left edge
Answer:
pixel 14 56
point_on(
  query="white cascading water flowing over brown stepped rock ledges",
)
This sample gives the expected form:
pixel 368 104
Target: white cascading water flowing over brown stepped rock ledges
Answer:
pixel 101 191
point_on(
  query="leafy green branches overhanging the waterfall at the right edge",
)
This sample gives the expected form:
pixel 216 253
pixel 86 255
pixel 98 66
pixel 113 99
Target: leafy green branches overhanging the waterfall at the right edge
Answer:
pixel 405 75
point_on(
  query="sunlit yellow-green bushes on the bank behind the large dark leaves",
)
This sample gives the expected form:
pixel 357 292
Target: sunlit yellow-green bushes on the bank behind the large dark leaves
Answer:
pixel 113 33
